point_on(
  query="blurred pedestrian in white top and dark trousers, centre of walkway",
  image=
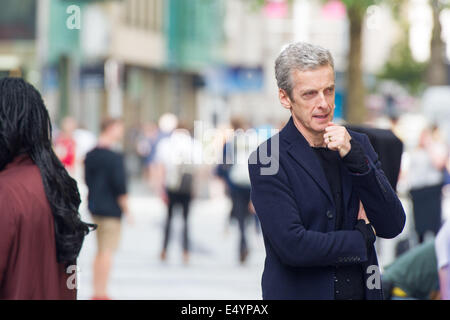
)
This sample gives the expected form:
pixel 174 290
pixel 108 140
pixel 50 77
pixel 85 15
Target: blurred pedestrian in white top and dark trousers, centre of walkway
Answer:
pixel 178 154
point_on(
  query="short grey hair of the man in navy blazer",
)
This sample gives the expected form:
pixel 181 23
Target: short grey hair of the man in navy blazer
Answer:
pixel 300 56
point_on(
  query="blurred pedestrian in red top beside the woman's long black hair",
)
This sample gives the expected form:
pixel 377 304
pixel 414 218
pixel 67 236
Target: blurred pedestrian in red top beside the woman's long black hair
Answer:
pixel 65 144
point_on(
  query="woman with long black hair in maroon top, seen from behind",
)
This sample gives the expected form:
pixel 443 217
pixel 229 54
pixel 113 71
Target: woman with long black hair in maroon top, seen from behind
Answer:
pixel 41 233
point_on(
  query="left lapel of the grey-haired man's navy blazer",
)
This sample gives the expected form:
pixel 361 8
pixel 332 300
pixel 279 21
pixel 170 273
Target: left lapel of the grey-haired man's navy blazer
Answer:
pixel 303 154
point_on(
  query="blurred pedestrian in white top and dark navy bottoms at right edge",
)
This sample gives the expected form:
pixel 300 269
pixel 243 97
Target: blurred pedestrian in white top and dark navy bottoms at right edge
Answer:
pixel 426 177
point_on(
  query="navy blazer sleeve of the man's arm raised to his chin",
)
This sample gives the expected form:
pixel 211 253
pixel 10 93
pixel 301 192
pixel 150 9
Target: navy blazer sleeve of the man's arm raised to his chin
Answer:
pixel 383 208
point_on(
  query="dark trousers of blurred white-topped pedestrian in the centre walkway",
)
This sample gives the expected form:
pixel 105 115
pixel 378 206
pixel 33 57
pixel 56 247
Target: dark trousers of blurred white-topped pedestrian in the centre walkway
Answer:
pixel 174 199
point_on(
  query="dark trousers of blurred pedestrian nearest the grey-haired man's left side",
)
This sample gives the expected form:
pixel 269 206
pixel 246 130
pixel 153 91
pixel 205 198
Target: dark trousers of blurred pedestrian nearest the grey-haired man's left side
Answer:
pixel 241 198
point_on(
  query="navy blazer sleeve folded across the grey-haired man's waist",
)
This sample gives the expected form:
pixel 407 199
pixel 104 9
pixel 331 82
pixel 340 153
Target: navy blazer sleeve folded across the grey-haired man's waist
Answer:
pixel 296 246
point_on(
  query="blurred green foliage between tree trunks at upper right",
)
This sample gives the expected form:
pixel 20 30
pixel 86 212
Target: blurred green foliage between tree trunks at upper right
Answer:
pixel 402 68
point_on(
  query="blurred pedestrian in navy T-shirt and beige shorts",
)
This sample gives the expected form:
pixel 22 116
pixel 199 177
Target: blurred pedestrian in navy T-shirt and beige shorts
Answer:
pixel 107 199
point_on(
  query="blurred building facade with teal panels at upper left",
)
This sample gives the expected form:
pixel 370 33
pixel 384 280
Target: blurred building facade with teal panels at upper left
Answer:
pixel 133 58
